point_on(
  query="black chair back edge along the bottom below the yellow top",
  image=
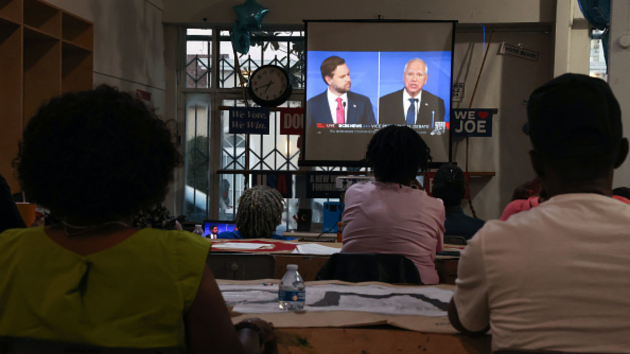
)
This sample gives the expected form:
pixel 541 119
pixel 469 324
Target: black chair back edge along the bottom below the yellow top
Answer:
pixel 12 345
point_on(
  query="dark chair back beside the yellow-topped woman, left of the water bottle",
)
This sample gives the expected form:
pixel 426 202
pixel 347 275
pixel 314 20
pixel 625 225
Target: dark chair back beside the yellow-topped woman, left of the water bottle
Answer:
pixel 234 266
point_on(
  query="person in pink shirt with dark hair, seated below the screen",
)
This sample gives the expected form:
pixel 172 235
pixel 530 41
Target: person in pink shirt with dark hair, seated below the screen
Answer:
pixel 388 216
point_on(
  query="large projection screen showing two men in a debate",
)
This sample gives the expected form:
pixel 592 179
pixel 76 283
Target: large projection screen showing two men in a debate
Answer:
pixel 364 75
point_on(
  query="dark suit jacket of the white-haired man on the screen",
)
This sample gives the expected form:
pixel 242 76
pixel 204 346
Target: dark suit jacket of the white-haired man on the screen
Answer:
pixel 391 109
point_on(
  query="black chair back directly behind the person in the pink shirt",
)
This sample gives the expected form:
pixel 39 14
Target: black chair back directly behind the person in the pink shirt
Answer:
pixel 361 267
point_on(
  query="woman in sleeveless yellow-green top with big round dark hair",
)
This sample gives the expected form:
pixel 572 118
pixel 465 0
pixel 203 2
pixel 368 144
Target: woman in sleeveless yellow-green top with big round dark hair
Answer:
pixel 96 158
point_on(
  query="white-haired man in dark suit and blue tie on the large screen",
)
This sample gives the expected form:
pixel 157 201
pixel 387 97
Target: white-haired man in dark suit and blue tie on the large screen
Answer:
pixel 412 105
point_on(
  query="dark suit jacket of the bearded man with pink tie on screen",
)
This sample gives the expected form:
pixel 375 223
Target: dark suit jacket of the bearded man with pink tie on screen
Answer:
pixel 359 110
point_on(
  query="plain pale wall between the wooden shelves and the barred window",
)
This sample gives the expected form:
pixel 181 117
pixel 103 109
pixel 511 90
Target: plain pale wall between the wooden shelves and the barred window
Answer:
pixel 128 43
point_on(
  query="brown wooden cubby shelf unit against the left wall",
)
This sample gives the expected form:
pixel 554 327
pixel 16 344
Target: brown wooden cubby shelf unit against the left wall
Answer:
pixel 44 51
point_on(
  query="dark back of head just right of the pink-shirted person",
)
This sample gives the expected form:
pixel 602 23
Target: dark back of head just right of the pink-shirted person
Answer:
pixel 449 184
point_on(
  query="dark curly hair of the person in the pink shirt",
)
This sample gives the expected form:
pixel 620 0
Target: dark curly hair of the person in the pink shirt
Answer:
pixel 396 154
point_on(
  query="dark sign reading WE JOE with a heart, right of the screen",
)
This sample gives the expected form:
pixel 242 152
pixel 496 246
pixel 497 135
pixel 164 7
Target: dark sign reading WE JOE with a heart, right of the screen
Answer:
pixel 471 122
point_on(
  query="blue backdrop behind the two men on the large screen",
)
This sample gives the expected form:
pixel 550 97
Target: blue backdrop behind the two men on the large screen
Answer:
pixel 364 69
